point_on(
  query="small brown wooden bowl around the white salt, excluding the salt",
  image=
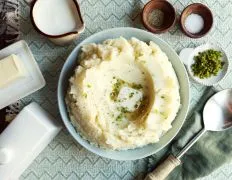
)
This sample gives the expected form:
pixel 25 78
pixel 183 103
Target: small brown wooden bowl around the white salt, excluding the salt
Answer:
pixel 204 12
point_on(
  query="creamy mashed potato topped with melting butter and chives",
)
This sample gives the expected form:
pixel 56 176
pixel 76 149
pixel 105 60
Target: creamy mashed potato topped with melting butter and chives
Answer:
pixel 124 94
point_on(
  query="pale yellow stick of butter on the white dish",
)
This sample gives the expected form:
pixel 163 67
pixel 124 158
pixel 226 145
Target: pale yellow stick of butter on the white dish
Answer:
pixel 11 69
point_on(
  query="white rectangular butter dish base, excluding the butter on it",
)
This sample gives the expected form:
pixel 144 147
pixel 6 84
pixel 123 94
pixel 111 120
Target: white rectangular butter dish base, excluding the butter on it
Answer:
pixel 23 87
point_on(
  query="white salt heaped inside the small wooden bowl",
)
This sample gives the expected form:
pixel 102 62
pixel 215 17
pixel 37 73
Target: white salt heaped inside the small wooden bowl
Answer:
pixel 194 23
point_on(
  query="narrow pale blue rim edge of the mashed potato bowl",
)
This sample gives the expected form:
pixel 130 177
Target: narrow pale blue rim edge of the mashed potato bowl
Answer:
pixel 91 147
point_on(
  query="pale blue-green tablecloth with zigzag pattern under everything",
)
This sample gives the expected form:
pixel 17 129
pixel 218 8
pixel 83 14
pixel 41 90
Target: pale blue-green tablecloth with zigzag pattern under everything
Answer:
pixel 63 158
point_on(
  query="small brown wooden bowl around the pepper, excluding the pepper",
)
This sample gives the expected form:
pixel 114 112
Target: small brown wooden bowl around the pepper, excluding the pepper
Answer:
pixel 169 15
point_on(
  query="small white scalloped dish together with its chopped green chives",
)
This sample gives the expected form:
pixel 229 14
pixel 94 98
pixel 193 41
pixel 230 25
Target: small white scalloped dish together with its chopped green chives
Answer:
pixel 207 64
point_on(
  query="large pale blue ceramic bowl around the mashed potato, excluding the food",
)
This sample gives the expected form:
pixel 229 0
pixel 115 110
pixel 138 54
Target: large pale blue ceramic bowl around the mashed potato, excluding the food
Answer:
pixel 68 70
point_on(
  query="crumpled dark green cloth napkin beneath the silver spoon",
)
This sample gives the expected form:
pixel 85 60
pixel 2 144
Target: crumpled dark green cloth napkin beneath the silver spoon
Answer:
pixel 211 151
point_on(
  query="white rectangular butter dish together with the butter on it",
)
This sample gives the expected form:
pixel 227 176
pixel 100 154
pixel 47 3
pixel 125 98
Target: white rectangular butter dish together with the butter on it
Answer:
pixel 20 75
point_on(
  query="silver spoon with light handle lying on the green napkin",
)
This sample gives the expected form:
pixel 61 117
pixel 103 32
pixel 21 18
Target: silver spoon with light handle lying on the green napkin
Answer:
pixel 217 116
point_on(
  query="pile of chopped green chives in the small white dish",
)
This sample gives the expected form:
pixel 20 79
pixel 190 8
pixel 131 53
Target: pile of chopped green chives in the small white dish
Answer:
pixel 207 64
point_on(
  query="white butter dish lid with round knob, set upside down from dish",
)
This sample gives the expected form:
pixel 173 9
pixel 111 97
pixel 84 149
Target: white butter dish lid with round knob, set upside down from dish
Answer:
pixel 25 137
